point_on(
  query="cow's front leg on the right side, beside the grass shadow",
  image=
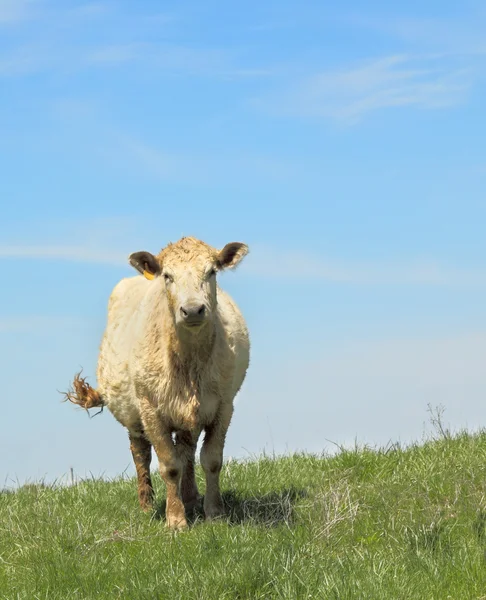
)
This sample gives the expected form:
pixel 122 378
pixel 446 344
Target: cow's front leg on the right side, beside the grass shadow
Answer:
pixel 212 460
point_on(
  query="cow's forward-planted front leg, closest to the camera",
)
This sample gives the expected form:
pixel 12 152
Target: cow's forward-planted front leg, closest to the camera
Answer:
pixel 170 465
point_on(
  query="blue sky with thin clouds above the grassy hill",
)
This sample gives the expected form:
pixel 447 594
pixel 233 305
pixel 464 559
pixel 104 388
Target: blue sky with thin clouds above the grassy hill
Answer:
pixel 344 144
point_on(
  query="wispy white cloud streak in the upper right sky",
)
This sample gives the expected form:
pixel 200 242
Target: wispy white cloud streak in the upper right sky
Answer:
pixel 347 95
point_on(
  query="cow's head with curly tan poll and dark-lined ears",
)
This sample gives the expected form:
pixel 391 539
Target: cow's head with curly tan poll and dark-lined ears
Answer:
pixel 187 270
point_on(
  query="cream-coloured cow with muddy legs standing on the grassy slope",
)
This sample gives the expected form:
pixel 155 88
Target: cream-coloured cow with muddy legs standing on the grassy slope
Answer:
pixel 174 354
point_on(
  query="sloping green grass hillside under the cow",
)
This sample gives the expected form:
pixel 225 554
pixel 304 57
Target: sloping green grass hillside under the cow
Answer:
pixel 392 523
